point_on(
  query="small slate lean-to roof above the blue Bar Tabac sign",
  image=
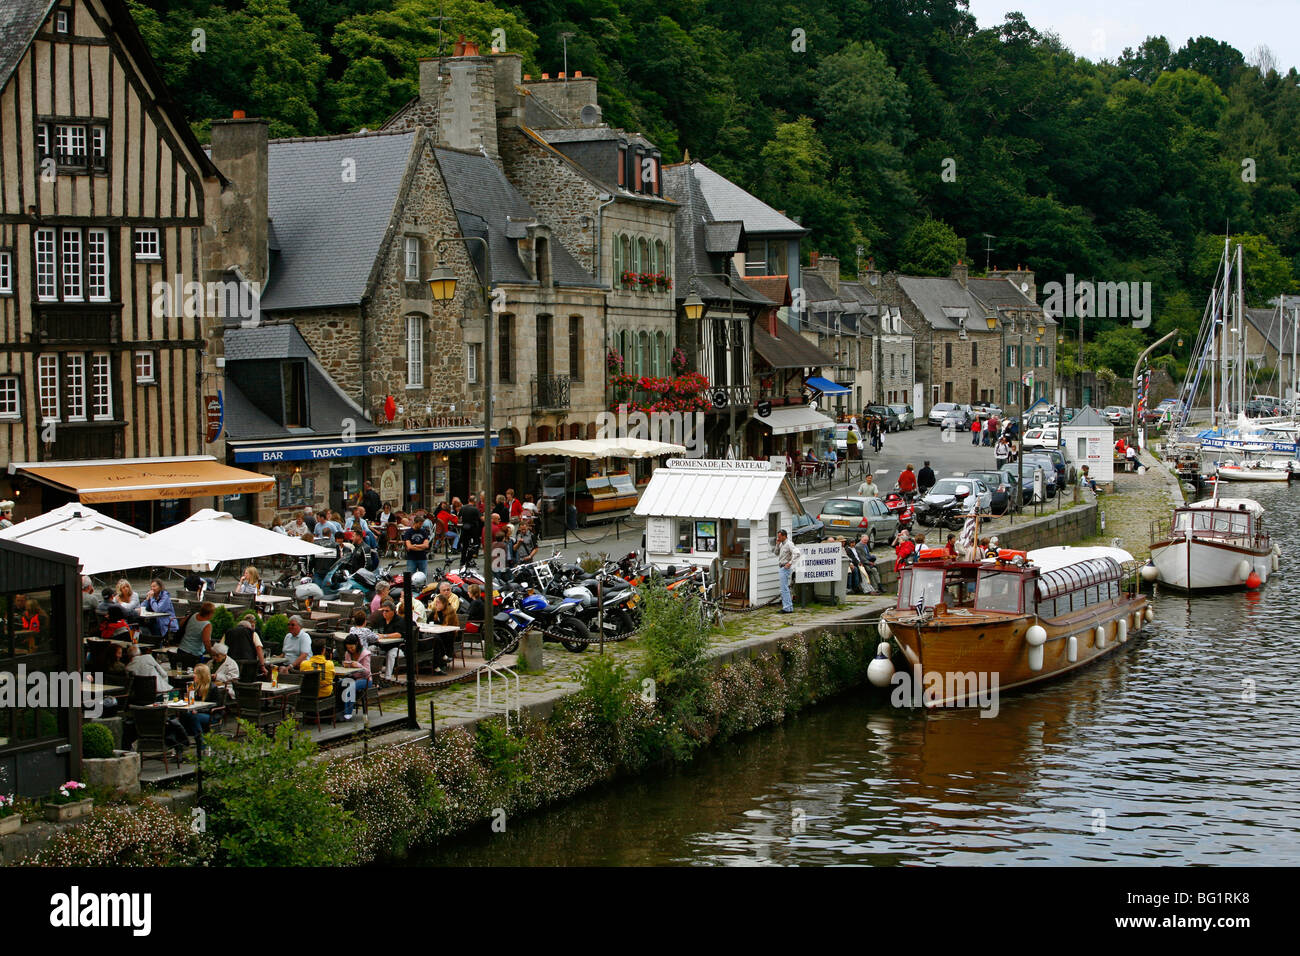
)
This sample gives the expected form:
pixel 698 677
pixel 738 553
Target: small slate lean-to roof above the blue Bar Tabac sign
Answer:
pixel 327 404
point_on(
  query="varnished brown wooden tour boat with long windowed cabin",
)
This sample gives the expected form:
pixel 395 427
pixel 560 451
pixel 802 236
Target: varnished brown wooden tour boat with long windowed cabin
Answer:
pixel 1012 621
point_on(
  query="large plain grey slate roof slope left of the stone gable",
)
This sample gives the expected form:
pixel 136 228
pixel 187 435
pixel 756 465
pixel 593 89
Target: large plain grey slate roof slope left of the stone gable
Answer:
pixel 330 232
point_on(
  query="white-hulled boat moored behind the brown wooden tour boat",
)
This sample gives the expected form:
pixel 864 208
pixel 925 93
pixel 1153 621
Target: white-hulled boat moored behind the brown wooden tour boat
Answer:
pixel 1212 544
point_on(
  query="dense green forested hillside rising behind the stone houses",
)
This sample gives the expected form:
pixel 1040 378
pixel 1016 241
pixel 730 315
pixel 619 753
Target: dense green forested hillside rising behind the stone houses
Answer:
pixel 873 122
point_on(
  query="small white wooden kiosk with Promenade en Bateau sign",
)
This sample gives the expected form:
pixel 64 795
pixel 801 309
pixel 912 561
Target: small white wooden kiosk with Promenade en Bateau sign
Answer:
pixel 699 512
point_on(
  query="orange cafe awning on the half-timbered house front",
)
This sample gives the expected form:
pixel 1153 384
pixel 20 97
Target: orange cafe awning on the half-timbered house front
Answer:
pixel 145 479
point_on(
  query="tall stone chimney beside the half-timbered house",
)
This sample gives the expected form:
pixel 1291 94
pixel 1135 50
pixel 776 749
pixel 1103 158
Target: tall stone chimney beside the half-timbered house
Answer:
pixel 241 219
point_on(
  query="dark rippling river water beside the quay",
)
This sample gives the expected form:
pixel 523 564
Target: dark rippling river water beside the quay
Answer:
pixel 1181 747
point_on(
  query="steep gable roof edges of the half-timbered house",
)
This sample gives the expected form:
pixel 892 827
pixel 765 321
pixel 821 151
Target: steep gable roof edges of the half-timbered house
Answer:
pixel 20 21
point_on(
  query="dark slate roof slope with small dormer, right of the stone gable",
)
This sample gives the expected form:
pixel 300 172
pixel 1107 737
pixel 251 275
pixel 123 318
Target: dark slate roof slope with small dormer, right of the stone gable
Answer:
pixel 488 205
